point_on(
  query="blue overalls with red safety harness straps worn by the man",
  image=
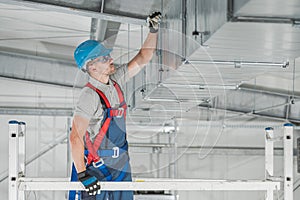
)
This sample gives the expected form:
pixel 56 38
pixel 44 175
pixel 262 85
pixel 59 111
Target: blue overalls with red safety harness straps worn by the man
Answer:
pixel 107 157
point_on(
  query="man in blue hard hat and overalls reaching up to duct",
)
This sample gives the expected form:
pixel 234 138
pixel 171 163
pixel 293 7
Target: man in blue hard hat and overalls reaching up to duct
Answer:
pixel 98 136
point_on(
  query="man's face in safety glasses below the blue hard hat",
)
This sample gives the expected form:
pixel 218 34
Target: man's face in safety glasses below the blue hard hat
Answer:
pixel 103 65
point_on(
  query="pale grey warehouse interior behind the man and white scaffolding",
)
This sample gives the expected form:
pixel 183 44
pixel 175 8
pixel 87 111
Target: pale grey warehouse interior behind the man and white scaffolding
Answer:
pixel 223 71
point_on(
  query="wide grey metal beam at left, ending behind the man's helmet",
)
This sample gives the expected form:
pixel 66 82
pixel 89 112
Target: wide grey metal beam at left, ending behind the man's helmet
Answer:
pixel 38 70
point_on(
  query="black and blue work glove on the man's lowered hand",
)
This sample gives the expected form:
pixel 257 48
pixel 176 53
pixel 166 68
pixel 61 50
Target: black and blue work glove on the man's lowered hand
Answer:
pixel 91 183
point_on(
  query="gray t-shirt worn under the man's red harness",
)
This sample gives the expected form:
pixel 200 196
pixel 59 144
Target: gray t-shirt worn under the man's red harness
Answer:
pixel 89 105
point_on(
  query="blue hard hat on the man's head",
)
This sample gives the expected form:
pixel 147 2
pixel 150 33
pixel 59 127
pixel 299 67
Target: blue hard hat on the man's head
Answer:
pixel 89 50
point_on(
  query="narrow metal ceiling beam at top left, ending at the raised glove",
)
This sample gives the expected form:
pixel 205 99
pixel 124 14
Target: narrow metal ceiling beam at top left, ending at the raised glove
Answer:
pixel 74 11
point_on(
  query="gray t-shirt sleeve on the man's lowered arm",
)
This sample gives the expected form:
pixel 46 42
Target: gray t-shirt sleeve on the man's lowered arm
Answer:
pixel 87 103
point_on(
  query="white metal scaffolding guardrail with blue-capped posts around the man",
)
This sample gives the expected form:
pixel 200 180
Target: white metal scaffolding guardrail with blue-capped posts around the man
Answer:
pixel 19 183
